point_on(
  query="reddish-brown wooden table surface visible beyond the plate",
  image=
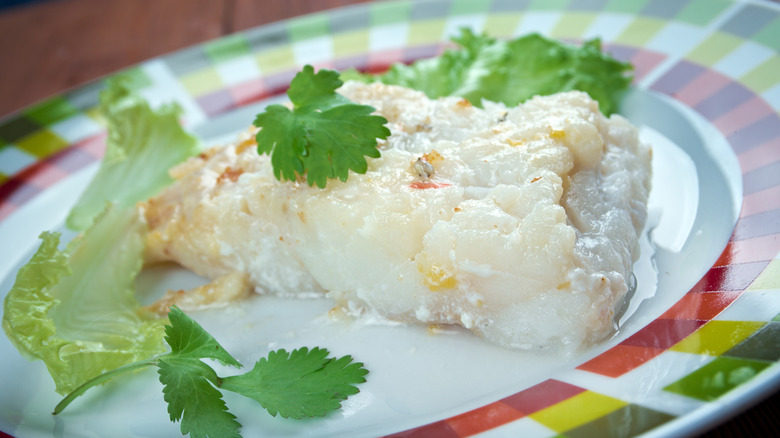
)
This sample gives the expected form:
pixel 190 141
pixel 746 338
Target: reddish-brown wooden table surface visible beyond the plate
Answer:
pixel 48 47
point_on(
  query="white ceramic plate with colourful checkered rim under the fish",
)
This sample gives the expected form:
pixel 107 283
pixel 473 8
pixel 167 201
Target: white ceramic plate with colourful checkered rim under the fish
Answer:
pixel 705 97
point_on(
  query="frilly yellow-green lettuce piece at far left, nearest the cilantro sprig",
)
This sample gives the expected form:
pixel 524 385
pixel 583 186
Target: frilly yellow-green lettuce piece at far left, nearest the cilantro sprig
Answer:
pixel 76 309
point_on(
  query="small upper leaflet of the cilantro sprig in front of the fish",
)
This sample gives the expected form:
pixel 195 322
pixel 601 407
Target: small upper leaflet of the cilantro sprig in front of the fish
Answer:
pixel 189 340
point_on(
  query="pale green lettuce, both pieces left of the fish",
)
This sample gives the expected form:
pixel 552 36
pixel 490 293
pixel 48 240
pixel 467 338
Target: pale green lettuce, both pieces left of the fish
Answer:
pixel 76 309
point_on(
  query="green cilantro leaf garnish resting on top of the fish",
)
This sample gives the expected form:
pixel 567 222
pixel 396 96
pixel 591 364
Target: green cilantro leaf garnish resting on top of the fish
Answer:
pixel 324 136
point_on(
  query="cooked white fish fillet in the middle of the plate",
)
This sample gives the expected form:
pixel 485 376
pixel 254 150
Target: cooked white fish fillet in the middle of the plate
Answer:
pixel 519 224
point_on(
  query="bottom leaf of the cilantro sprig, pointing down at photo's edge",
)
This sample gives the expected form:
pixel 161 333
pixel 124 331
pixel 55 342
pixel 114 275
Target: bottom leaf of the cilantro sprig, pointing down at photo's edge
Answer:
pixel 192 398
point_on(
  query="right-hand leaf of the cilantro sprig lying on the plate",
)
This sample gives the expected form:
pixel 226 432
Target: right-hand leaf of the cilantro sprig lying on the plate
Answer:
pixel 302 383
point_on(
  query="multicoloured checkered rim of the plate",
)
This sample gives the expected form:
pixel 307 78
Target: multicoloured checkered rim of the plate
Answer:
pixel 718 57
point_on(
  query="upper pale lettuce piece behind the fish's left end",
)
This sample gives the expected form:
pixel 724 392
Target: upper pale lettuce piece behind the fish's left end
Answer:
pixel 142 145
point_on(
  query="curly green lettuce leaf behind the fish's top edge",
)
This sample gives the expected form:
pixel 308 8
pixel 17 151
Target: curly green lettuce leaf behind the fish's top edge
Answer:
pixel 512 71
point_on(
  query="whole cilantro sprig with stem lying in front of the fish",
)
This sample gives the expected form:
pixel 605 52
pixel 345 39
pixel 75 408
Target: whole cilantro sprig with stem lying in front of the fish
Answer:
pixel 298 384
